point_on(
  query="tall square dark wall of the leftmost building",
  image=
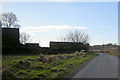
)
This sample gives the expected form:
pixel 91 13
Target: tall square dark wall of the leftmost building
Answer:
pixel 10 37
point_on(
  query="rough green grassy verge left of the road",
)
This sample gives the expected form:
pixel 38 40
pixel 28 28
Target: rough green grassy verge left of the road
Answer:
pixel 42 66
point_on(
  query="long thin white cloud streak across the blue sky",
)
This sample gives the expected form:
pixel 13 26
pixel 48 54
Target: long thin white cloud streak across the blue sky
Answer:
pixel 49 28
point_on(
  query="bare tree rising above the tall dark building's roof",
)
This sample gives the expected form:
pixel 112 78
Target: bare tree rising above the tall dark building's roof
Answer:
pixel 9 20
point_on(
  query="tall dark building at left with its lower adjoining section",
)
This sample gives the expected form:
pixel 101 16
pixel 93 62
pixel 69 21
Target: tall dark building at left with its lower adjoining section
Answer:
pixel 11 43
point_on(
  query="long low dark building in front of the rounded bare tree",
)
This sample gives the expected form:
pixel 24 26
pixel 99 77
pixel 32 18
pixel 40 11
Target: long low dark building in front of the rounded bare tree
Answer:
pixel 68 46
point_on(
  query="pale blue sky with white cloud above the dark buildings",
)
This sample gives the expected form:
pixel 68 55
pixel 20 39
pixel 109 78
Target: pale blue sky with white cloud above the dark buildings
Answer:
pixel 49 21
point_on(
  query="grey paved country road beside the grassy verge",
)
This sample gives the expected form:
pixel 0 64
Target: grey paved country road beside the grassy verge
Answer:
pixel 102 66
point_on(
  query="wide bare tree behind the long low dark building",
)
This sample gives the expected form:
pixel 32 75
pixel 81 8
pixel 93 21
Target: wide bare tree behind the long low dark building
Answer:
pixel 76 36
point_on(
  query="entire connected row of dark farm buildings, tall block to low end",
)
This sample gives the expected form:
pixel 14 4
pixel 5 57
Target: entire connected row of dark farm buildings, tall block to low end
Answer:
pixel 11 44
